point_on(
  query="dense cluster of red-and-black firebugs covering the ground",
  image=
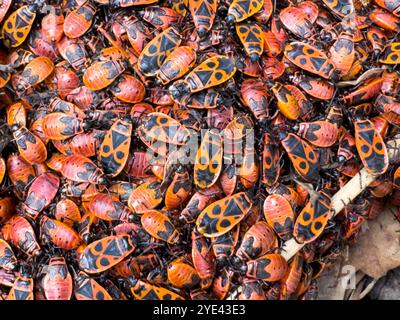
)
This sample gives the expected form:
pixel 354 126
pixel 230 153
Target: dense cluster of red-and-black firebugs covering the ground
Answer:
pixel 168 149
